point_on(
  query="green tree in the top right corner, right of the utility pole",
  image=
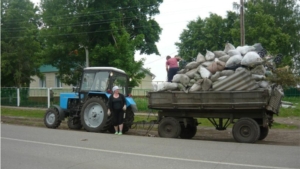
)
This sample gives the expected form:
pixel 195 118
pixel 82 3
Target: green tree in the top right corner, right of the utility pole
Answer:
pixel 286 15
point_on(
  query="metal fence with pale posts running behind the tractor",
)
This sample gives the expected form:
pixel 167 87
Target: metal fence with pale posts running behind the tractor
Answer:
pixel 41 97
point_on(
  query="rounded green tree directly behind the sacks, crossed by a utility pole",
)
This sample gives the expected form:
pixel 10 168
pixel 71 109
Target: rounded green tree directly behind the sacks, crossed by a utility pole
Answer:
pixel 213 32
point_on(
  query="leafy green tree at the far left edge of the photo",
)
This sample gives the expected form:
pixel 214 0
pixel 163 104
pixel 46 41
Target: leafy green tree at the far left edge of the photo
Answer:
pixel 20 47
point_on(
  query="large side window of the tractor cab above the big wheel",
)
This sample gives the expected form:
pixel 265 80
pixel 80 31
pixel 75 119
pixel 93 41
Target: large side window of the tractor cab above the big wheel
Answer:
pixel 95 81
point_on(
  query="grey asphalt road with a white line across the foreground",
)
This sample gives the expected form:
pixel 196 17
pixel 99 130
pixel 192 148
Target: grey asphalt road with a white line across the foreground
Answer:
pixel 41 148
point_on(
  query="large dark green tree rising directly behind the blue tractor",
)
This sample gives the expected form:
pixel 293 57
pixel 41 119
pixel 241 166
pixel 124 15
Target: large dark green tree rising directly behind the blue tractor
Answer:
pixel 111 31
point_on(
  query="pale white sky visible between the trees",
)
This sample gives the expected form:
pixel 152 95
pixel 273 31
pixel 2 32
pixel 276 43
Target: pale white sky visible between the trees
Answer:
pixel 173 19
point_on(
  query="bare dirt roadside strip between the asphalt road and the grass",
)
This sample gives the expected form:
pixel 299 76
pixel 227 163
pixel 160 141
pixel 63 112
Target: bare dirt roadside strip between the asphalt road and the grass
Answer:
pixel 275 136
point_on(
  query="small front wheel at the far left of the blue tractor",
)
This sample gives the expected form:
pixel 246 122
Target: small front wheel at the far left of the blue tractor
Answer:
pixel 51 118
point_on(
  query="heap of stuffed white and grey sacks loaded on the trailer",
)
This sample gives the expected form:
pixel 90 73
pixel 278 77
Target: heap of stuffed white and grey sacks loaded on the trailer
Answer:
pixel 216 70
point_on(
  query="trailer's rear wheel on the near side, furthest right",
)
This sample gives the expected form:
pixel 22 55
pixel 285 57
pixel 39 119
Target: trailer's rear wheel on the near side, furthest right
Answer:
pixel 246 130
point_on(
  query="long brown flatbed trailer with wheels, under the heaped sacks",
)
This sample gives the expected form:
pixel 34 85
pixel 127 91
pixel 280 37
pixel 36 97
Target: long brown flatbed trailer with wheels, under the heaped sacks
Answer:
pixel 250 112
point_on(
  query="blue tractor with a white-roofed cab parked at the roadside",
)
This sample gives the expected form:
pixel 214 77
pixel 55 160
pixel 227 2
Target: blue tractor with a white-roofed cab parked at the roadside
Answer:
pixel 87 106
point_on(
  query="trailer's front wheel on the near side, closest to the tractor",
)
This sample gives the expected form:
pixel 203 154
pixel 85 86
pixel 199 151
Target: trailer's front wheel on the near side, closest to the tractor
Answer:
pixel 169 127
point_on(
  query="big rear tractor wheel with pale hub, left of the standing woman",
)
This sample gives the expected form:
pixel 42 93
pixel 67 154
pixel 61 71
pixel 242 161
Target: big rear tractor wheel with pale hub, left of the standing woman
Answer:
pixel 93 115
